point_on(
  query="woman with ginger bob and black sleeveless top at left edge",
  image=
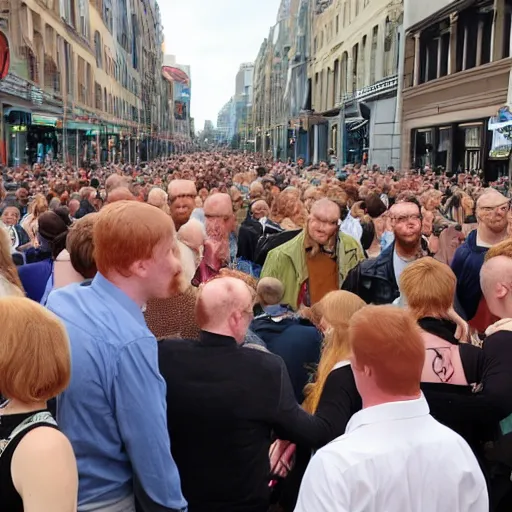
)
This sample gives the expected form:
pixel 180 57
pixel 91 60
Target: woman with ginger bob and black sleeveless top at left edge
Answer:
pixel 37 466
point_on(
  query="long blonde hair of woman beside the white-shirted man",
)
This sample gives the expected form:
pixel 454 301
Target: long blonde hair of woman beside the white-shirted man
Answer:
pixel 336 308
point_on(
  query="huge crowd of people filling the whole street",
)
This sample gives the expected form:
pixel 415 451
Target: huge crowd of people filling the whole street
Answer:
pixel 219 332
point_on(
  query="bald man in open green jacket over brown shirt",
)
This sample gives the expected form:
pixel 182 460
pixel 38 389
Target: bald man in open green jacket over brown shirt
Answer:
pixel 316 261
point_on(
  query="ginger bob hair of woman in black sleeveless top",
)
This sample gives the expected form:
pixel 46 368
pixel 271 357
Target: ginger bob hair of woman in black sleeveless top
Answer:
pixel 35 361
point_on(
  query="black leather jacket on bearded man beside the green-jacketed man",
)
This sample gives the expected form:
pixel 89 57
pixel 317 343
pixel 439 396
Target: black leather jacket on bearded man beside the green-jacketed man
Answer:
pixel 374 280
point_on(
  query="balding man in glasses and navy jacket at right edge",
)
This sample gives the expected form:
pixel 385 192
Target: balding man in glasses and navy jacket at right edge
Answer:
pixel 491 212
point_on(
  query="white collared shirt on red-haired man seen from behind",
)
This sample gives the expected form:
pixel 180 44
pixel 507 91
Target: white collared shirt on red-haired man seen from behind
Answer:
pixel 394 457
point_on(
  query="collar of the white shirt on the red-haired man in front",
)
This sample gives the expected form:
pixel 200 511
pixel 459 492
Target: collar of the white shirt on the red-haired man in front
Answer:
pixel 390 411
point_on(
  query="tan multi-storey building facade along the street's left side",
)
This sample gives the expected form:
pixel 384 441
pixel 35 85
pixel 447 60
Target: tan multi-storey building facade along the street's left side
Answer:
pixel 84 82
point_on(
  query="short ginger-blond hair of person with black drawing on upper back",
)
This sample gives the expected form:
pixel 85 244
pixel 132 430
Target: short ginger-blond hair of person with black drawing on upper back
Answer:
pixel 428 287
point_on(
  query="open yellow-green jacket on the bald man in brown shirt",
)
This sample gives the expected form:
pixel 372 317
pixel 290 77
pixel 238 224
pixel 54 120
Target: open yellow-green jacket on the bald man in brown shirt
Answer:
pixel 288 264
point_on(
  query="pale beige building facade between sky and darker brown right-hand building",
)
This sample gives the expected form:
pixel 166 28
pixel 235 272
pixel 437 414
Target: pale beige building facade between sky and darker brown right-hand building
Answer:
pixel 326 82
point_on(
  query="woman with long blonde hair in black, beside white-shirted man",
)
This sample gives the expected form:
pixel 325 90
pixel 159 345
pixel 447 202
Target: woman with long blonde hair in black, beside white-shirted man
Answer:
pixel 332 394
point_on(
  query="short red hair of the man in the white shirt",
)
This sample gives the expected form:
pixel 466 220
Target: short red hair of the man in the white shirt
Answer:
pixel 388 341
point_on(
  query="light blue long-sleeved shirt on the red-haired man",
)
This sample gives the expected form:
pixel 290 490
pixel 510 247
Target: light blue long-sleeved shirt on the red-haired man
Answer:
pixel 114 410
